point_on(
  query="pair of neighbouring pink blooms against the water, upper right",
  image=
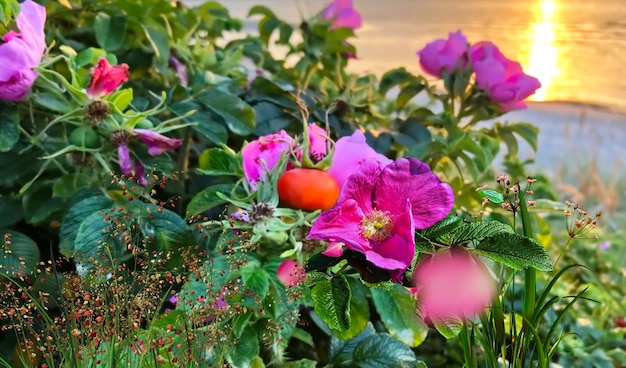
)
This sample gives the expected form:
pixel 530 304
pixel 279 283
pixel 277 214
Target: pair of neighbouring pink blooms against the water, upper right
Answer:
pixel 502 79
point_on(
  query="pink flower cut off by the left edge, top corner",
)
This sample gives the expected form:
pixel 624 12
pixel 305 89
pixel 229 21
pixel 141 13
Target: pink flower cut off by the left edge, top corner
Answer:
pixel 21 52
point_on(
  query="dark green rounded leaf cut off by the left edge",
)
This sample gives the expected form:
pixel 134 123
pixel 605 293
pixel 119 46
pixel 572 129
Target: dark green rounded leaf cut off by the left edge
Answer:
pixel 19 254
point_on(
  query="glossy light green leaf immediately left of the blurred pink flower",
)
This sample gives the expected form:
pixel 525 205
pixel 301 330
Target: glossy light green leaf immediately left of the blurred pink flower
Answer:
pixel 398 312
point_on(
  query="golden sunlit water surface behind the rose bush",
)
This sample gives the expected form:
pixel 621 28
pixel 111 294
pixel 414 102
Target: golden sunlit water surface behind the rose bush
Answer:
pixel 577 48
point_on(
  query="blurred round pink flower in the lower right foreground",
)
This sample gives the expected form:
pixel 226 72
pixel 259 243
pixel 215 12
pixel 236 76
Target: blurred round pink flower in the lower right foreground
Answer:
pixel 452 285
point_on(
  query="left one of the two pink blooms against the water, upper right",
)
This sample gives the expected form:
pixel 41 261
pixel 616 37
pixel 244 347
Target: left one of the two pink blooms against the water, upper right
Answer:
pixel 447 55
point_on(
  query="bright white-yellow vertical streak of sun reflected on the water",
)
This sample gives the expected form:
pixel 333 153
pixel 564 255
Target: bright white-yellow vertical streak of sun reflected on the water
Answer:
pixel 543 59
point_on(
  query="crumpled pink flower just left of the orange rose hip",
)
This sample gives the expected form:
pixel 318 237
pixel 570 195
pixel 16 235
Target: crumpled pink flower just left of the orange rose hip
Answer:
pixel 262 155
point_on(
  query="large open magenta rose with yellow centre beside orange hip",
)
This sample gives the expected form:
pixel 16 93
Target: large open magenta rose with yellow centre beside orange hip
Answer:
pixel 379 209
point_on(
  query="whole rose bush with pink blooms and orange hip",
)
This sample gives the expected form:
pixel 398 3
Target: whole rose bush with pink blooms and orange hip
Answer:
pixel 211 217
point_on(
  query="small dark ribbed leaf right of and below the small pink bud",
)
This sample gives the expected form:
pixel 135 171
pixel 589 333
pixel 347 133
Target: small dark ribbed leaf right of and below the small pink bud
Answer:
pixel 331 300
